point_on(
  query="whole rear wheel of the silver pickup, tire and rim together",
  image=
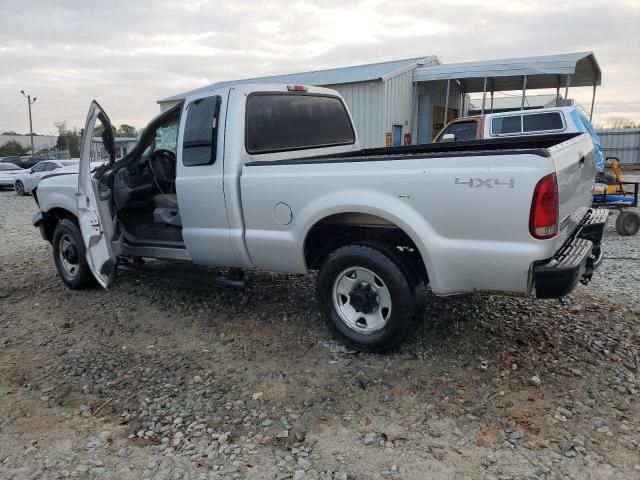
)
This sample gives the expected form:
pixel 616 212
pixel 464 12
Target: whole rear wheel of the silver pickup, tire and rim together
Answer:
pixel 370 296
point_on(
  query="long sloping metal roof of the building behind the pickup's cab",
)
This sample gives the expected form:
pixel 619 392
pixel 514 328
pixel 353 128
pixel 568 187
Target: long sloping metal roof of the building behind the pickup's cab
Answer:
pixel 318 78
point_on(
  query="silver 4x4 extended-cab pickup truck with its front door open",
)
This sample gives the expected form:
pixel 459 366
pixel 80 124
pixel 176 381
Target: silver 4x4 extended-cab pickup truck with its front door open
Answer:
pixel 272 177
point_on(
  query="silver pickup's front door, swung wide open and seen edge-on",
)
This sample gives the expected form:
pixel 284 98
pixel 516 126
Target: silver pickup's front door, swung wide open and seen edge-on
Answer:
pixel 97 223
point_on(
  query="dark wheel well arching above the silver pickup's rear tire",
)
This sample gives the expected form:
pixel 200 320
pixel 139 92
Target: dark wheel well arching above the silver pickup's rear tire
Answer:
pixel 337 230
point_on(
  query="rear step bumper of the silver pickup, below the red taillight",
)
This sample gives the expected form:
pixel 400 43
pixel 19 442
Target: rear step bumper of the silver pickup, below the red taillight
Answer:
pixel 575 261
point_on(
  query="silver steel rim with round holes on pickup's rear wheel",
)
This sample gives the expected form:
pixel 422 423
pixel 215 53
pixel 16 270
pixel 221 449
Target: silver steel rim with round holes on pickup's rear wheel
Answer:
pixel 362 300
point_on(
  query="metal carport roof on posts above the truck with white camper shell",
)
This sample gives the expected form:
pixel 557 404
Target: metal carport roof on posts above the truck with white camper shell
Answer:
pixel 506 74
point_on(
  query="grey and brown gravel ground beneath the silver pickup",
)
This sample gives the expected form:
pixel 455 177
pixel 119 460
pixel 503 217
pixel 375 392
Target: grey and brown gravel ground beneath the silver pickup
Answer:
pixel 169 380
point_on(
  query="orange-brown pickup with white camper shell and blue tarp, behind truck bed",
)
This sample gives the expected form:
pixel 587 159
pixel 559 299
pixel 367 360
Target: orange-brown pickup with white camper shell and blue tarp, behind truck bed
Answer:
pixel 522 123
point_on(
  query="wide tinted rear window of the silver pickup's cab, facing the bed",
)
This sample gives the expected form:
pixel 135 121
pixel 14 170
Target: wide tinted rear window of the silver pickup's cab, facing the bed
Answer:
pixel 278 122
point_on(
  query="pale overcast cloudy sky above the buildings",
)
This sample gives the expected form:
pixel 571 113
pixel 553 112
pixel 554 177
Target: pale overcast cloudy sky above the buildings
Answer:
pixel 127 54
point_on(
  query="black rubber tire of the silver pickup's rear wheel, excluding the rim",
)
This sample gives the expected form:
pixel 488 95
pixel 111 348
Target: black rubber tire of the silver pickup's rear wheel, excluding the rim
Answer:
pixel 405 288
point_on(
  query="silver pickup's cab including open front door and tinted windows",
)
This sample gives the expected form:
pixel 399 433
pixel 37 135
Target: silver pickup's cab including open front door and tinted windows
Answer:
pixel 176 195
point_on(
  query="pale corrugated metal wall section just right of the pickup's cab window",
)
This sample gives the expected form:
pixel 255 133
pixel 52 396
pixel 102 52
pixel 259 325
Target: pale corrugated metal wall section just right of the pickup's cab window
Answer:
pixel 365 101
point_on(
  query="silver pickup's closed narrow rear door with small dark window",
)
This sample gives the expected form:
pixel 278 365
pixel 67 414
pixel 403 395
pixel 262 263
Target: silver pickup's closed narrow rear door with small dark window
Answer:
pixel 199 182
